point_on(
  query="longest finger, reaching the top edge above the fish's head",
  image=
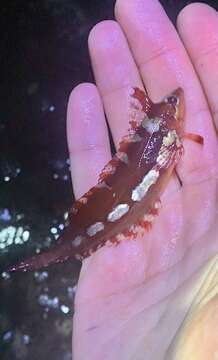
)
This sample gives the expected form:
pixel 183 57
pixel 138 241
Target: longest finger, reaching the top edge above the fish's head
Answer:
pixel 164 65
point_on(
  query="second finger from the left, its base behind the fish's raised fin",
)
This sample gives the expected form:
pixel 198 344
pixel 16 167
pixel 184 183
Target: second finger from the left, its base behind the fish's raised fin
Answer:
pixel 115 72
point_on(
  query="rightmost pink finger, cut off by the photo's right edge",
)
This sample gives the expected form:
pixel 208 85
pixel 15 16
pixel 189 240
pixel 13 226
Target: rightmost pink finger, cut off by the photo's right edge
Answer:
pixel 198 28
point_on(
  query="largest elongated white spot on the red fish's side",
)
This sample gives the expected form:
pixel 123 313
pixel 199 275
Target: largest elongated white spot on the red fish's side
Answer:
pixel 149 179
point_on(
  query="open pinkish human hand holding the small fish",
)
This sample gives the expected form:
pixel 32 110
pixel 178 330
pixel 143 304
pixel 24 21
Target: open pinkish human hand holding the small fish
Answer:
pixel 132 298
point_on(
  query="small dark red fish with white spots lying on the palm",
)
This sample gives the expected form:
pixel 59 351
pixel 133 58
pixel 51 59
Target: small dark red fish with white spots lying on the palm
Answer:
pixel 126 198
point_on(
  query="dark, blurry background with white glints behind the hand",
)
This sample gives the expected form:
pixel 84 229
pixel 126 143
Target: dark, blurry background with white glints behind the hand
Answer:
pixel 43 56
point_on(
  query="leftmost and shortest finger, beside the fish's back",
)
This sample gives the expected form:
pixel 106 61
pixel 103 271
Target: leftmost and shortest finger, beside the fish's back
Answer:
pixel 87 136
